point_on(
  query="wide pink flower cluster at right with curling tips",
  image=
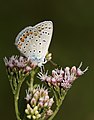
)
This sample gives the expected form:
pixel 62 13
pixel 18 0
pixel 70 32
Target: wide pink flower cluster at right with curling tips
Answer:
pixel 62 78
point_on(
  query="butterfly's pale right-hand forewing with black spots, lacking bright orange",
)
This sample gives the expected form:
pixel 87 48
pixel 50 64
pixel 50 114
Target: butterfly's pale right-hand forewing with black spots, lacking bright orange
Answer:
pixel 44 30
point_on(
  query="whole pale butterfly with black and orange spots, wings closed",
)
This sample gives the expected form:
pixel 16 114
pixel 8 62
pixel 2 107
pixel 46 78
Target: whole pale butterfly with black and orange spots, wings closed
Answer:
pixel 33 42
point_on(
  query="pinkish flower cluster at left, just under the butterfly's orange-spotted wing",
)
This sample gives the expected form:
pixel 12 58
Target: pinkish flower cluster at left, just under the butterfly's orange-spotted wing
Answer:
pixel 19 63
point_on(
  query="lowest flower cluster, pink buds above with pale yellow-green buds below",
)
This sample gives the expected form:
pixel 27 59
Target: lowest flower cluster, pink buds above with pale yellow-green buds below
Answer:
pixel 38 104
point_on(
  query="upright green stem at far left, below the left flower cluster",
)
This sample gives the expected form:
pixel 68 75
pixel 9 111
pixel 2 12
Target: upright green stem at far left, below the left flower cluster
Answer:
pixel 16 99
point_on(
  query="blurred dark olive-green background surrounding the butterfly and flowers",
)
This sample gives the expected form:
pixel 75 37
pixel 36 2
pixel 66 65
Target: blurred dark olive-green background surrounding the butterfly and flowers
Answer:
pixel 72 42
